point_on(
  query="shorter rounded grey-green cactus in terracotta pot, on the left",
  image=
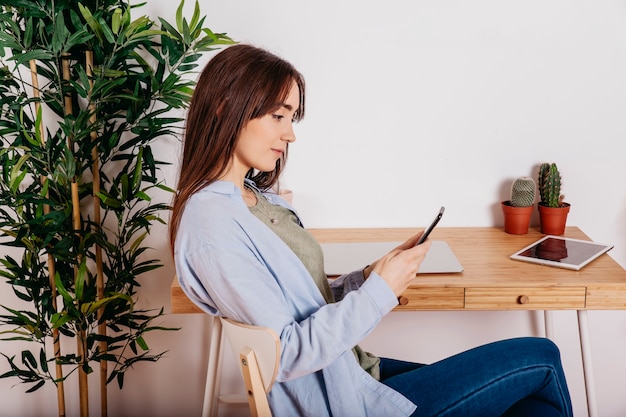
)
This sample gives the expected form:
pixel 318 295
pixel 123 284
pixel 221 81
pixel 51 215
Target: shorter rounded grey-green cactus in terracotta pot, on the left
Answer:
pixel 518 210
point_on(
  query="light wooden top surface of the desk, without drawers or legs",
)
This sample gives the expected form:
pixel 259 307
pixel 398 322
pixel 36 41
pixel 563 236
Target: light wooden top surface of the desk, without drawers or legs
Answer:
pixel 485 254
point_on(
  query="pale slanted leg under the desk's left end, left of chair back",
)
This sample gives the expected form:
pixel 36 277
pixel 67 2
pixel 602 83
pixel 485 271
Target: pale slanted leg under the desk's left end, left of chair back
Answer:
pixel 213 376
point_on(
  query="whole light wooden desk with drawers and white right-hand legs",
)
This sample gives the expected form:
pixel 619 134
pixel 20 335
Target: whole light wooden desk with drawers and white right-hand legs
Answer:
pixel 492 281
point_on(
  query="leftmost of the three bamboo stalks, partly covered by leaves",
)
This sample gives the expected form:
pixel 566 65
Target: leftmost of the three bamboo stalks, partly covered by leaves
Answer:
pixel 56 341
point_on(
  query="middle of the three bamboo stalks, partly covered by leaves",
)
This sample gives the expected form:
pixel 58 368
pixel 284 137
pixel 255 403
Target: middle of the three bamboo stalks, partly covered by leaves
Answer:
pixel 81 339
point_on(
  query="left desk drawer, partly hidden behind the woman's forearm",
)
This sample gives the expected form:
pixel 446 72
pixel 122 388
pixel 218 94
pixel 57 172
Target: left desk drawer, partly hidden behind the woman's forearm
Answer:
pixel 432 299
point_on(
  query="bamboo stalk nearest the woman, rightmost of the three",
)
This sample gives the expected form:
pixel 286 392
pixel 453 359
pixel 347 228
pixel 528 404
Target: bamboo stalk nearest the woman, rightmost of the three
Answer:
pixel 95 171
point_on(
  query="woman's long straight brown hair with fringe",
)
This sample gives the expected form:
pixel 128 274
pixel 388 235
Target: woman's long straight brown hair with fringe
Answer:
pixel 238 84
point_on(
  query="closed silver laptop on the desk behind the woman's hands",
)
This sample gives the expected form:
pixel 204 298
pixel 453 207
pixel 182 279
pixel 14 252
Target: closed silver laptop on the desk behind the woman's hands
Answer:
pixel 341 258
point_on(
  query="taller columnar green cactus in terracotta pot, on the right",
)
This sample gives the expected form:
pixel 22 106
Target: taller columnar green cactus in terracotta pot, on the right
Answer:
pixel 552 209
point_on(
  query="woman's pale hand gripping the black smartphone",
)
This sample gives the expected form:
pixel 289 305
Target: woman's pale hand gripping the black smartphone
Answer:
pixel 399 266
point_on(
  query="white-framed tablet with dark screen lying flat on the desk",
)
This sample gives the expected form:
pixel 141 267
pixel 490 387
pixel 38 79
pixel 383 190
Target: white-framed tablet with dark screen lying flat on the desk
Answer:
pixel 562 252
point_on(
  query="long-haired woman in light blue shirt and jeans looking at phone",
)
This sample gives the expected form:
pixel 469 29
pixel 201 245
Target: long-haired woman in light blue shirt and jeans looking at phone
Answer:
pixel 241 252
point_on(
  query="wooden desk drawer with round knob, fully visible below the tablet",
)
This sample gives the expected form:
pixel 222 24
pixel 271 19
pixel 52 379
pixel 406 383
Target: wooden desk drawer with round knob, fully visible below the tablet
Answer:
pixel 525 298
